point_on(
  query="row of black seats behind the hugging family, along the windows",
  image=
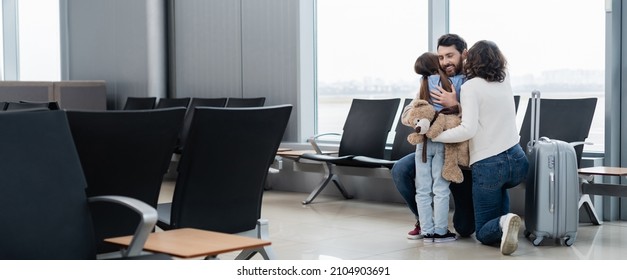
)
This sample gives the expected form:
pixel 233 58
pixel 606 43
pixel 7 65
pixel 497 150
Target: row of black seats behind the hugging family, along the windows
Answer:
pixel 366 129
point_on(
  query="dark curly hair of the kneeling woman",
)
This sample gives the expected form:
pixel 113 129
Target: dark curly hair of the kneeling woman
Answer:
pixel 486 61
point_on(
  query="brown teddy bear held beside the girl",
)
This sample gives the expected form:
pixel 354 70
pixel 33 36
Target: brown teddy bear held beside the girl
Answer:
pixel 428 123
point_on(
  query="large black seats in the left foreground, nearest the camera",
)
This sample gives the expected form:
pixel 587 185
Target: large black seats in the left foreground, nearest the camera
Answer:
pixel 83 156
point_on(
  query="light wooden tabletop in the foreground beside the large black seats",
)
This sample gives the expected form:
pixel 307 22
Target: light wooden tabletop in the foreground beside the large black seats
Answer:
pixel 192 243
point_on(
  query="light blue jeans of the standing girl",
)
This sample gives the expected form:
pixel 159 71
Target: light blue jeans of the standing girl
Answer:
pixel 429 181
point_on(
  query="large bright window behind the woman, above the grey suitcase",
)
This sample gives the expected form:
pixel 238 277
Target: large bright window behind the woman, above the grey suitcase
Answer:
pixel 562 54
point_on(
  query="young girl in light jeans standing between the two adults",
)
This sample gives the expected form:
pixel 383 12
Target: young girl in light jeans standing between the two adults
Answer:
pixel 433 220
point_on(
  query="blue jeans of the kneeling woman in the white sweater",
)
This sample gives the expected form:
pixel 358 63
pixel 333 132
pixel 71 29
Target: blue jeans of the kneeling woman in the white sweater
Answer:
pixel 491 178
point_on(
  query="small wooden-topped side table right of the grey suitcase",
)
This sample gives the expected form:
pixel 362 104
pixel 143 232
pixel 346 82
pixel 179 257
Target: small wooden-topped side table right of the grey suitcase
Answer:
pixel 588 187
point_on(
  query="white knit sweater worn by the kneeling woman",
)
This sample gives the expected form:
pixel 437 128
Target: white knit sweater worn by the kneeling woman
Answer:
pixel 488 119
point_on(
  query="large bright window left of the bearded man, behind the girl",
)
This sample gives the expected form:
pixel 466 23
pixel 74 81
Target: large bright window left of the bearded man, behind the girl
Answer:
pixel 366 49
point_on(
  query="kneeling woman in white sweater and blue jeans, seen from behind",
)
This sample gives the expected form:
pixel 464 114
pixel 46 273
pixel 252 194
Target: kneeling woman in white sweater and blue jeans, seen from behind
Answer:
pixel 496 158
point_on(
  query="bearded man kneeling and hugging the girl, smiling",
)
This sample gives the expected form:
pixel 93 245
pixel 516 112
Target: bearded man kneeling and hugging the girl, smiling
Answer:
pixel 451 51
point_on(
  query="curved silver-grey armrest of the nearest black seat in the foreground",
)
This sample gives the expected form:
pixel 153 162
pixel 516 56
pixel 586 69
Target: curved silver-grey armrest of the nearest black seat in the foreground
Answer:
pixel 148 219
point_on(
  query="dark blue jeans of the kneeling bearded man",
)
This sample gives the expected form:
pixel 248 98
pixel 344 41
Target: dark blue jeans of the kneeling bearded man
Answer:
pixel 403 174
